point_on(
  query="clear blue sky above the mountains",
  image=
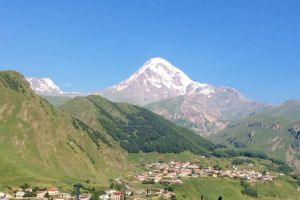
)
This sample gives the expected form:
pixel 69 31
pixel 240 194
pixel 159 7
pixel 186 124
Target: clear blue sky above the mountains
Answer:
pixel 253 46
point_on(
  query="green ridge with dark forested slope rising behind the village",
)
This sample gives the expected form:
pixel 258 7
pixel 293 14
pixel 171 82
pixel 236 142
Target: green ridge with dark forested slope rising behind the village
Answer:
pixel 135 128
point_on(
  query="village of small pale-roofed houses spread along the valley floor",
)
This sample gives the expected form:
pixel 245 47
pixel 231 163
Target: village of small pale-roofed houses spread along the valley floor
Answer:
pixel 165 174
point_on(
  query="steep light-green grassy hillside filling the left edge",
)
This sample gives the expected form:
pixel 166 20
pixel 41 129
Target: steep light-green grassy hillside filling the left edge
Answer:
pixel 42 145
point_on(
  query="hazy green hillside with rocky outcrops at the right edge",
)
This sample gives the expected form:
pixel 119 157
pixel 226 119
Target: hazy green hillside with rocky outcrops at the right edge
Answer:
pixel 273 132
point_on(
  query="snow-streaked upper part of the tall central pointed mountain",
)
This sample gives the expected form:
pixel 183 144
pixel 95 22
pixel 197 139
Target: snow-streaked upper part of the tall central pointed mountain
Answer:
pixel 156 80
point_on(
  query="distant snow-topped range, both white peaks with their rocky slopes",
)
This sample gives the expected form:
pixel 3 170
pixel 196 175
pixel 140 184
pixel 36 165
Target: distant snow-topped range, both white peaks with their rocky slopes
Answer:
pixel 169 92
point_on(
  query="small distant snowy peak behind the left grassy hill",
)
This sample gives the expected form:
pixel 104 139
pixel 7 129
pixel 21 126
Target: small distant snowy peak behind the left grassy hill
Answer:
pixel 44 86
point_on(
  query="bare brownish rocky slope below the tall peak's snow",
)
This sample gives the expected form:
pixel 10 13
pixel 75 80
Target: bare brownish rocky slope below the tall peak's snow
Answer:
pixel 206 115
